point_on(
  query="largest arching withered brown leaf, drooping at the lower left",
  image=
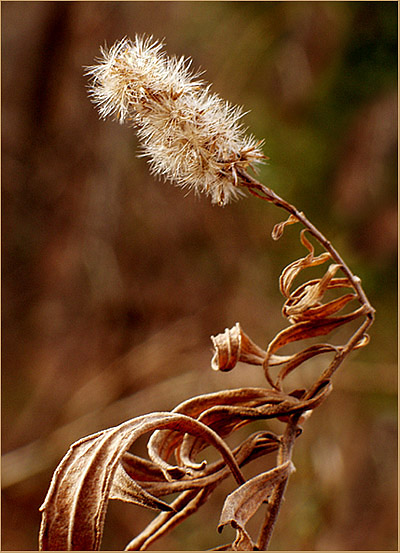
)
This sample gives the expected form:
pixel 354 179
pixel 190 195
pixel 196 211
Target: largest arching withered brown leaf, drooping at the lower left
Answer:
pixel 76 503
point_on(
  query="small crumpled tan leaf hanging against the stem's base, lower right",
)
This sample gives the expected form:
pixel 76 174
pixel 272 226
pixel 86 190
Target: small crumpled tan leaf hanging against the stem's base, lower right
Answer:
pixel 242 503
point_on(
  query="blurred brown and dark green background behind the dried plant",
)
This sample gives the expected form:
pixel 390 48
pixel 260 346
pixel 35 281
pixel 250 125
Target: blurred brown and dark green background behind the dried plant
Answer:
pixel 113 282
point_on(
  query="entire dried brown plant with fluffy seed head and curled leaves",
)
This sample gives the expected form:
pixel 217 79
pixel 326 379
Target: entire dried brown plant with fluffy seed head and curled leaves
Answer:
pixel 194 139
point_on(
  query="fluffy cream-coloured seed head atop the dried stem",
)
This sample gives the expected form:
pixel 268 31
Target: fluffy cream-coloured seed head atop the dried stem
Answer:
pixel 192 137
